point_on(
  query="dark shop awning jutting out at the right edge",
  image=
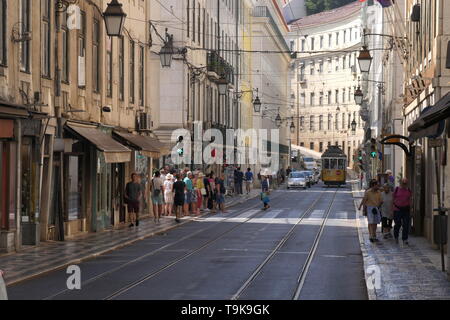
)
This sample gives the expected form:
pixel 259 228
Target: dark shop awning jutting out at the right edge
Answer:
pixel 429 123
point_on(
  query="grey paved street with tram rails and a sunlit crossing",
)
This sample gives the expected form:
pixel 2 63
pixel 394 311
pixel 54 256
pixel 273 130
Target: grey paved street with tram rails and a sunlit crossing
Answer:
pixel 305 247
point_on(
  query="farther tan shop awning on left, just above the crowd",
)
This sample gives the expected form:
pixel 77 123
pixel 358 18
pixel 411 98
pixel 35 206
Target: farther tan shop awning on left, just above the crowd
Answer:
pixel 149 147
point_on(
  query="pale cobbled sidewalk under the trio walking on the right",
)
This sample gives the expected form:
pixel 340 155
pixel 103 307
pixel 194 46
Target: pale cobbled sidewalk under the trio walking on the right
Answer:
pixel 407 273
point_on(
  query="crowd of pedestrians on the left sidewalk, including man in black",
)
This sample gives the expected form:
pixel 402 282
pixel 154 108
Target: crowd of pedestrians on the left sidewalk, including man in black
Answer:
pixel 179 193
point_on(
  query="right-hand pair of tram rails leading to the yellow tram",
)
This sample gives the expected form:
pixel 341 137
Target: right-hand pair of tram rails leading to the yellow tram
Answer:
pixel 258 271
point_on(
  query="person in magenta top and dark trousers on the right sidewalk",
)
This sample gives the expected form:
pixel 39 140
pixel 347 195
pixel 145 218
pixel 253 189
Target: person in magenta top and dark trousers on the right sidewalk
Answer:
pixel 402 211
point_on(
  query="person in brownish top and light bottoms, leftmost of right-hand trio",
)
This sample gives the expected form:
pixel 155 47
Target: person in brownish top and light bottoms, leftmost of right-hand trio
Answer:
pixel 373 201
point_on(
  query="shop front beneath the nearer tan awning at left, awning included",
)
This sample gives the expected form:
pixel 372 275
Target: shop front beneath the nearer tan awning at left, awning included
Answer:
pixel 94 179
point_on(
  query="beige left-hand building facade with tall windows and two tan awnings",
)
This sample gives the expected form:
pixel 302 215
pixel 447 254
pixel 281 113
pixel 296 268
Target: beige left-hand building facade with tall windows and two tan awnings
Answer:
pixel 75 104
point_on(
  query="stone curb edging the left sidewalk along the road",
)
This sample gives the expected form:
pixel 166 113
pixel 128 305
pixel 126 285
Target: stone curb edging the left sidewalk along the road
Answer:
pixel 117 247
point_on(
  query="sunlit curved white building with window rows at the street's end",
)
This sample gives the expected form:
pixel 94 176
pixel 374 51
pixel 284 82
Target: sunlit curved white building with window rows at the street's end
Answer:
pixel 324 77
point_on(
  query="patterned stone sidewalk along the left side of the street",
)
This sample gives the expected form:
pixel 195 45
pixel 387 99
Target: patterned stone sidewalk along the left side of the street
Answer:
pixel 50 256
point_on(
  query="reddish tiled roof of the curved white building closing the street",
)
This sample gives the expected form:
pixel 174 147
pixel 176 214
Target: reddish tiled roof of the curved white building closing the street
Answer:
pixel 328 16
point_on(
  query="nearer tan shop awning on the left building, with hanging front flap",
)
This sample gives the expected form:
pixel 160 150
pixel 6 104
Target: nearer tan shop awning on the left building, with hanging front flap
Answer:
pixel 114 151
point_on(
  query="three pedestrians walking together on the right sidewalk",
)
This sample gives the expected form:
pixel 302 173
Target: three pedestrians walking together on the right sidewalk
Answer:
pixel 388 206
